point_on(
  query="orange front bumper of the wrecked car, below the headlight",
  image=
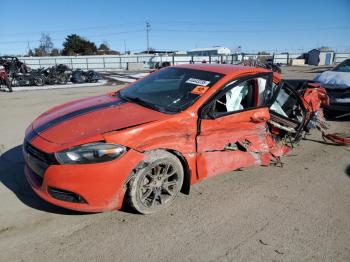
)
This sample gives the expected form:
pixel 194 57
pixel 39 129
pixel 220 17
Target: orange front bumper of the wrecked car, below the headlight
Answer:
pixel 97 187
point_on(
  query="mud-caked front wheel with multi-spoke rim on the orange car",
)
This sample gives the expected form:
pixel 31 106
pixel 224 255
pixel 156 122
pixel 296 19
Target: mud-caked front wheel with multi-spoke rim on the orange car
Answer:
pixel 156 184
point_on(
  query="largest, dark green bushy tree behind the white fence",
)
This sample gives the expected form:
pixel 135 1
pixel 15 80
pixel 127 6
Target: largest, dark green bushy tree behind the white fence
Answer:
pixel 77 45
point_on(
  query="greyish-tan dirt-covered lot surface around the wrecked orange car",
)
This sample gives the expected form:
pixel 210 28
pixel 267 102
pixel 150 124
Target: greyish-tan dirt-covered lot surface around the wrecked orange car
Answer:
pixel 300 212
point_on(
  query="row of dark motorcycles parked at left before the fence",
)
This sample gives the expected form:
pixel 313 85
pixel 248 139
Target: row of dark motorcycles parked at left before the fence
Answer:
pixel 15 73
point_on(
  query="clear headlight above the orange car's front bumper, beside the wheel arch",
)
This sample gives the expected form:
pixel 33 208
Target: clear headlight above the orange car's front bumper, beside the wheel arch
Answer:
pixel 90 153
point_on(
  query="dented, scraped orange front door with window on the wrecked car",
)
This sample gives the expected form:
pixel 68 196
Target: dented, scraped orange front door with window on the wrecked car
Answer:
pixel 232 127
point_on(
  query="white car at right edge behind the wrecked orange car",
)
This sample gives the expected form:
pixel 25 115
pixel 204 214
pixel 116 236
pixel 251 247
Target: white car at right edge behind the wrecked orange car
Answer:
pixel 337 84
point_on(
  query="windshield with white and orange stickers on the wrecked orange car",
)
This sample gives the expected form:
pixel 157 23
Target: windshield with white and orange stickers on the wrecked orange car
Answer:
pixel 170 90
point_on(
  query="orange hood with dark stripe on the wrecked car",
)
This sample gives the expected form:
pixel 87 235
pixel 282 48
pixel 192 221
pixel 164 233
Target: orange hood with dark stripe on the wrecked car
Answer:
pixel 85 118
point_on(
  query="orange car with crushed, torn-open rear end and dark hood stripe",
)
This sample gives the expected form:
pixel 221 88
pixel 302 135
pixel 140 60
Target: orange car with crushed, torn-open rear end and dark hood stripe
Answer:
pixel 156 137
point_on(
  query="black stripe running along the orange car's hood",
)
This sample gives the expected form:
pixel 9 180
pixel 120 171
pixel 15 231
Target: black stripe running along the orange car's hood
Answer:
pixel 71 115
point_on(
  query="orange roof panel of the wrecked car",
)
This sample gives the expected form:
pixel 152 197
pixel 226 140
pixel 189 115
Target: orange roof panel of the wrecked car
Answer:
pixel 222 68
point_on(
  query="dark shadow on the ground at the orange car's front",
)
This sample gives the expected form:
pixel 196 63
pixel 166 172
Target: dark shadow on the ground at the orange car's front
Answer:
pixel 12 176
